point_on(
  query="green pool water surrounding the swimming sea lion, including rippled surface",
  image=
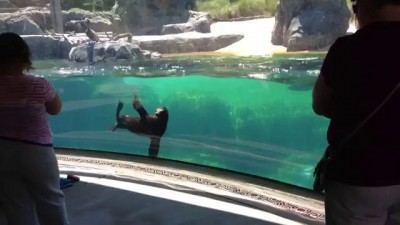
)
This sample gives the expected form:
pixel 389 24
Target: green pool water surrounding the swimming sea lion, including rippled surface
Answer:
pixel 251 115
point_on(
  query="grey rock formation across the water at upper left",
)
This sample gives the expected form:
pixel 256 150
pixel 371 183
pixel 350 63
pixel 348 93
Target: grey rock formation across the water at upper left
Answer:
pixel 34 24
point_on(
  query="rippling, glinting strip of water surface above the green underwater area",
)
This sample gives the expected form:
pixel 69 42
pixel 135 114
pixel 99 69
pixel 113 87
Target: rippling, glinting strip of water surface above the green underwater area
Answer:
pixel 280 69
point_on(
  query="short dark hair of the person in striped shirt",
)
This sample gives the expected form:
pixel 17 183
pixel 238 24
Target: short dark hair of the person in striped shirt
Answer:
pixel 14 49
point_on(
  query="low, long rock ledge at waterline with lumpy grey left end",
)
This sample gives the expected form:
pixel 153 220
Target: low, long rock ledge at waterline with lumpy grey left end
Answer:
pixel 148 46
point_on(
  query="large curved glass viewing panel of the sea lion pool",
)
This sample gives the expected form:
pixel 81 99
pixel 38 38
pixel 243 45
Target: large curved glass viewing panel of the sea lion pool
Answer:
pixel 235 76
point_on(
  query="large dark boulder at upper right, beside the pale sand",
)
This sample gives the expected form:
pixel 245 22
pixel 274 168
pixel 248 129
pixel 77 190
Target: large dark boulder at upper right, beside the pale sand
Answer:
pixel 309 24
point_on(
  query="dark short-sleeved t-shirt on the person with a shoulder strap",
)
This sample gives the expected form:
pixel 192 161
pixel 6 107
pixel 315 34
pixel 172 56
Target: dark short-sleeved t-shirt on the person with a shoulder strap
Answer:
pixel 362 69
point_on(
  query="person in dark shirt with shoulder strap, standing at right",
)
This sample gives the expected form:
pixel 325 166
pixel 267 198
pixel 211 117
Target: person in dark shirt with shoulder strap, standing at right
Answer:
pixel 357 75
